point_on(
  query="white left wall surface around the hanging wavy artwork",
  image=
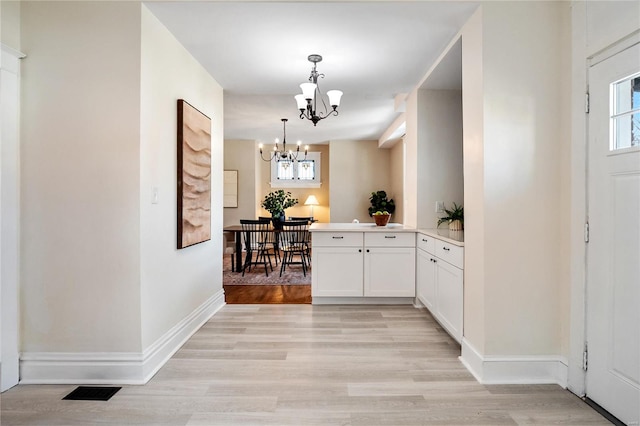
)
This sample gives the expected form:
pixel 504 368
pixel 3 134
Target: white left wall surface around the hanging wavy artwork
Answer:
pixel 173 282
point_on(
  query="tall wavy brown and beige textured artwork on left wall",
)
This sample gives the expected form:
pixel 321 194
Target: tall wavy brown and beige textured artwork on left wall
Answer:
pixel 194 176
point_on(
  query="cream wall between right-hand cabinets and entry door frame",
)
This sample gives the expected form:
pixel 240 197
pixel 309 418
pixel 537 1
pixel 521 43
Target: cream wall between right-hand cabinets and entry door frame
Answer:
pixel 513 174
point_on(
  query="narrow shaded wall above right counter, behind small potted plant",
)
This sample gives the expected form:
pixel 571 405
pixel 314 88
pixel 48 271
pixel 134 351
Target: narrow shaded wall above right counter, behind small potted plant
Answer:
pixel 439 153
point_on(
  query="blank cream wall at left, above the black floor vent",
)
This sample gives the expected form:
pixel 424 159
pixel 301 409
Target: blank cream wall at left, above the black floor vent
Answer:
pixel 80 172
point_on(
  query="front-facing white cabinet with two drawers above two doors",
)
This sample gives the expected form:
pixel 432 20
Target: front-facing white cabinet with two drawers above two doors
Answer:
pixel 363 264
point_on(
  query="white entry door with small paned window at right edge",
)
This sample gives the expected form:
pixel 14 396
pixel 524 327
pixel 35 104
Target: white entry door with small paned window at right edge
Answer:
pixel 613 251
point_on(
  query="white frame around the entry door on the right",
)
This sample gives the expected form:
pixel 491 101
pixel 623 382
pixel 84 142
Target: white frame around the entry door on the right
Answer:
pixel 581 63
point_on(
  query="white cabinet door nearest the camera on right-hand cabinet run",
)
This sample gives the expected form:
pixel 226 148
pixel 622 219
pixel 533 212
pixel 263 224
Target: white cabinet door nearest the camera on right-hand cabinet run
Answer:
pixel 449 298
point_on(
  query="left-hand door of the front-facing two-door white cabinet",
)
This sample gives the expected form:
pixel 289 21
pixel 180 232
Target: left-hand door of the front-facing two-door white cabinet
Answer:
pixel 336 272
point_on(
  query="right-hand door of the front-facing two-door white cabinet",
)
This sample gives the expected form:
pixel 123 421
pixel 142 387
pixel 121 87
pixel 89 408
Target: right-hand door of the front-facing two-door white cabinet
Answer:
pixel 390 272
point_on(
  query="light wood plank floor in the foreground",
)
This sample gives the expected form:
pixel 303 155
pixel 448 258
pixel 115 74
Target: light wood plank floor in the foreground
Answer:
pixel 309 365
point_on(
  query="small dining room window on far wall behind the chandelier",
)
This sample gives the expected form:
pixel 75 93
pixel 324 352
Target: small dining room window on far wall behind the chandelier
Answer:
pixel 297 174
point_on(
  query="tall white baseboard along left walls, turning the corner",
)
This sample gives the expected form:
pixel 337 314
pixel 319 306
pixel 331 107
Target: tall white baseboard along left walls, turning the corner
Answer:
pixel 115 367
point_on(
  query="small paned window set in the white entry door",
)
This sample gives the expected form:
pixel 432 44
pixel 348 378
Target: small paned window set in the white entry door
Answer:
pixel 625 113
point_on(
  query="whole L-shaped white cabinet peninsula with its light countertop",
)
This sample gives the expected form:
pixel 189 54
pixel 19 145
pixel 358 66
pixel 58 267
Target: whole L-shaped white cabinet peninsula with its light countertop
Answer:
pixel 361 263
